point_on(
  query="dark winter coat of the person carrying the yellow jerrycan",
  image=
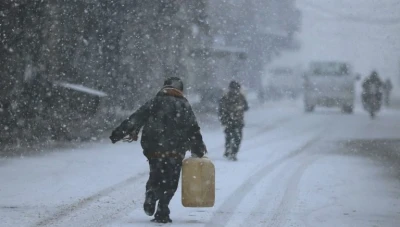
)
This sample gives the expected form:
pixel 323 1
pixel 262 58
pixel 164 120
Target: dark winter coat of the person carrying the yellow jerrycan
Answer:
pixel 169 125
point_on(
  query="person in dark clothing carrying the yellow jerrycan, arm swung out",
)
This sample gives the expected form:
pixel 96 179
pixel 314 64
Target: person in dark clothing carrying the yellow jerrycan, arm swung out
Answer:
pixel 169 130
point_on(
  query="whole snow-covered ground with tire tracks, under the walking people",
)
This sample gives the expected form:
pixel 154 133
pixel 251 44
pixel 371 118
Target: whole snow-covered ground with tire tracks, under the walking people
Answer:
pixel 294 169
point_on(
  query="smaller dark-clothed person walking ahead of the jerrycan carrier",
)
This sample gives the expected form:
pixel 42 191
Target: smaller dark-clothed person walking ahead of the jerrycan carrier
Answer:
pixel 231 114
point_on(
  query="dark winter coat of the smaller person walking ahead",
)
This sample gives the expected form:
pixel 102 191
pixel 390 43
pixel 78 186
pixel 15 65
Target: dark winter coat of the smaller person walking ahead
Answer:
pixel 231 108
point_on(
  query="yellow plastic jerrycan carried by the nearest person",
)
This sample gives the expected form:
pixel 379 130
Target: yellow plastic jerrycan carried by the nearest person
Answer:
pixel 198 182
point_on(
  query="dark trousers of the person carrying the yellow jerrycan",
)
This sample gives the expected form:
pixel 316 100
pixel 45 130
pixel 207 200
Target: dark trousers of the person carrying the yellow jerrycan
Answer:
pixel 163 180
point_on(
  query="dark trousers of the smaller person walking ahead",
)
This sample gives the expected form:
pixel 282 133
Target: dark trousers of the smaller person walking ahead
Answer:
pixel 233 138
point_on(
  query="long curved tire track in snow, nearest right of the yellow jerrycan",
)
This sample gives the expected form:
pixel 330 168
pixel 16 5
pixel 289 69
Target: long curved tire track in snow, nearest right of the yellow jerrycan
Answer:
pixel 222 216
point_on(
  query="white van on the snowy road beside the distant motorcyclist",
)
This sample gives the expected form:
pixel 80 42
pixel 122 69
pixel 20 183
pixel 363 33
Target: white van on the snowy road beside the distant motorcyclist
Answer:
pixel 329 84
